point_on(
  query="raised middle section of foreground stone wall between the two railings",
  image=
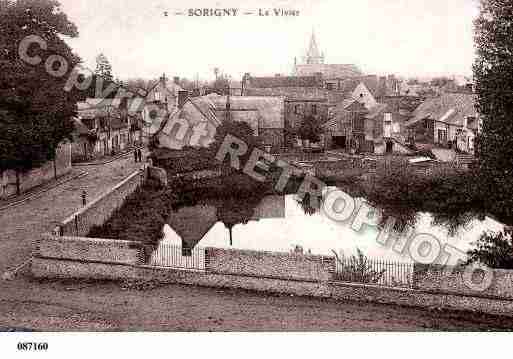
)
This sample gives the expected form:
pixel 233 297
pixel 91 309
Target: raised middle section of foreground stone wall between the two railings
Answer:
pixel 270 264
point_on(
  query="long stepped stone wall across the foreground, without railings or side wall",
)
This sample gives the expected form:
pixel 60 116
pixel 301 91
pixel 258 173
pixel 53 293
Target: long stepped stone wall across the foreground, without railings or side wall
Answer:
pixel 305 275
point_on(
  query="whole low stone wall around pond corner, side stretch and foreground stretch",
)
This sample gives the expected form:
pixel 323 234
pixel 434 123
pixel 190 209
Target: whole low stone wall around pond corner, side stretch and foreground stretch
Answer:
pixel 66 253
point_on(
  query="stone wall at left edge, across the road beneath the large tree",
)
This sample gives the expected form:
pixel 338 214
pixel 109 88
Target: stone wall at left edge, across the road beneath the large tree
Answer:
pixel 37 176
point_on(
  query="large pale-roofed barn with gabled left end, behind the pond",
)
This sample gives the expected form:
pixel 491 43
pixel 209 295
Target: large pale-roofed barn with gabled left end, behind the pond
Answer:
pixel 202 115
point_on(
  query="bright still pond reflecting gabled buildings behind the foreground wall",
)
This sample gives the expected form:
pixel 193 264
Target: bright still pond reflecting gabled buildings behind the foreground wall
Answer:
pixel 279 223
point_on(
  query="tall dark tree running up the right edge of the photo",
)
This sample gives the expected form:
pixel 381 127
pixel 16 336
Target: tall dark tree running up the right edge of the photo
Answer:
pixel 493 73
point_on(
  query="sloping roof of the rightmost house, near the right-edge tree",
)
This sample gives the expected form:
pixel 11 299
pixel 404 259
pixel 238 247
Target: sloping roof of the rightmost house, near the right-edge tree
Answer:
pixel 461 106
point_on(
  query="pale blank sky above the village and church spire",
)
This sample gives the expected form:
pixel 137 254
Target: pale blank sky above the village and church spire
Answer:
pixel 405 37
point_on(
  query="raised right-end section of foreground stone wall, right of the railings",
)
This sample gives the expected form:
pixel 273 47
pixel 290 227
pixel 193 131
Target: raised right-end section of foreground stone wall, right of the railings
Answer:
pixel 451 280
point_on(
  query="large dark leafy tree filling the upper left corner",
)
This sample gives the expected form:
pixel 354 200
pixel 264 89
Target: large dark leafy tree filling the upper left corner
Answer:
pixel 35 110
